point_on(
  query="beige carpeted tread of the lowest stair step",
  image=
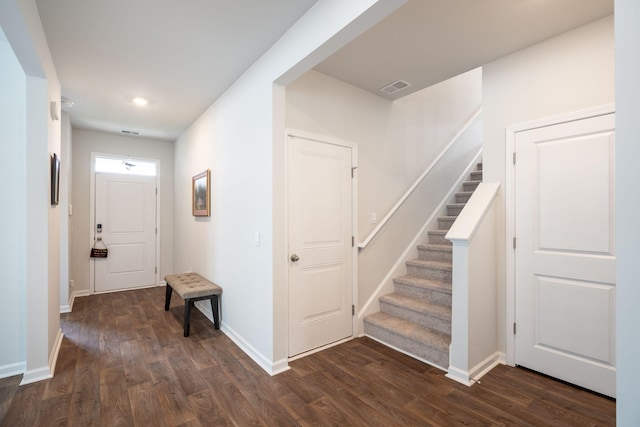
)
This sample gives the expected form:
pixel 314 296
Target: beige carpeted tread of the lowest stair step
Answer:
pixel 410 330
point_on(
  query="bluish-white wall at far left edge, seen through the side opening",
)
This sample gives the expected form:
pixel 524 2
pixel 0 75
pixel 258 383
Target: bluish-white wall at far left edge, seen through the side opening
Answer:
pixel 12 215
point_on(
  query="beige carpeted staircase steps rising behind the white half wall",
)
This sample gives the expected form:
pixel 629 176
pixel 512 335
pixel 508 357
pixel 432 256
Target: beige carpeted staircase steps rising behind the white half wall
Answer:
pixel 416 318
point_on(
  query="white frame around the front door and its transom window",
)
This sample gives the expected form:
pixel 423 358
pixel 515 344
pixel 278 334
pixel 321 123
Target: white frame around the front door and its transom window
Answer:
pixel 92 213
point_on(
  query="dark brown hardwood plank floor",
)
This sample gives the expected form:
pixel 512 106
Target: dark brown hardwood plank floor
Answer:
pixel 124 362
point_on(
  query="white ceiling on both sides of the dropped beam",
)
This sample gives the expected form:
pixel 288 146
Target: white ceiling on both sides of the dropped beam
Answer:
pixel 182 55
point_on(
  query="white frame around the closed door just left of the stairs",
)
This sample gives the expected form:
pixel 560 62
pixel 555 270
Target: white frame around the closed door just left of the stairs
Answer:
pixel 354 224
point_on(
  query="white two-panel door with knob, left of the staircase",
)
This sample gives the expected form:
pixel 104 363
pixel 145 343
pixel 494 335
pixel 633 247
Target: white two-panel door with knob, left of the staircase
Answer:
pixel 320 244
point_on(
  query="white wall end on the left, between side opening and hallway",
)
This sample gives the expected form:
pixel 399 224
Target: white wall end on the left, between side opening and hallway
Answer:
pixel 20 21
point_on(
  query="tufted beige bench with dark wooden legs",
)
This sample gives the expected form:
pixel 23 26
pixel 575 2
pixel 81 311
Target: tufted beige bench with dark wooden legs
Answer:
pixel 192 287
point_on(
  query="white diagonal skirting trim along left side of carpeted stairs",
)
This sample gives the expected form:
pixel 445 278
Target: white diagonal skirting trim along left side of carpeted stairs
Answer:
pixel 386 284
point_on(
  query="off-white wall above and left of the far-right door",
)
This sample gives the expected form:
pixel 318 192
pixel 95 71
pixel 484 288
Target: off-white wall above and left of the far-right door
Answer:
pixel 567 73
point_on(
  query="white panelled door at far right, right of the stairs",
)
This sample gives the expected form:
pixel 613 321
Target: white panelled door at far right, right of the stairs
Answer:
pixel 565 252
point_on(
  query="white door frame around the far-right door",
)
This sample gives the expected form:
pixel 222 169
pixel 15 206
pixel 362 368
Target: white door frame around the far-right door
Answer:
pixel 510 223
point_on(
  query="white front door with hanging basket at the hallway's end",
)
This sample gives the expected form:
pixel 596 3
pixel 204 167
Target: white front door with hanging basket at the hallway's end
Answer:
pixel 125 220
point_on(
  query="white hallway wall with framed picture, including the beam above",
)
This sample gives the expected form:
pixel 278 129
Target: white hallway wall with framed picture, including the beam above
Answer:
pixel 241 139
